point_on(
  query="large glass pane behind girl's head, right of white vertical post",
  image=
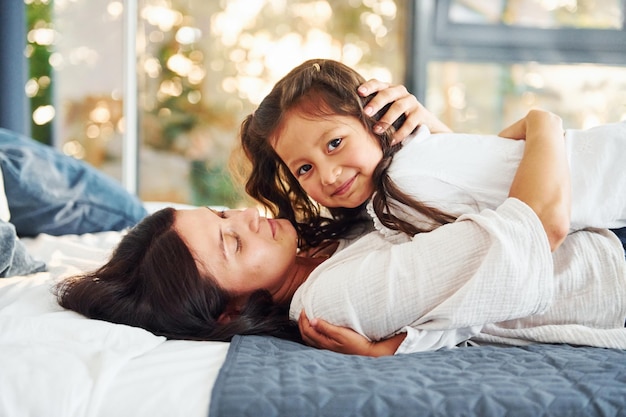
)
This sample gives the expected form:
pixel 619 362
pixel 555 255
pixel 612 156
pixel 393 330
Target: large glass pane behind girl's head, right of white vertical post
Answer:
pixel 207 64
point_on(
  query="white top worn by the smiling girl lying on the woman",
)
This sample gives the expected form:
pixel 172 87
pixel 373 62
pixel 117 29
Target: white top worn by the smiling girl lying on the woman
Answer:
pixel 466 173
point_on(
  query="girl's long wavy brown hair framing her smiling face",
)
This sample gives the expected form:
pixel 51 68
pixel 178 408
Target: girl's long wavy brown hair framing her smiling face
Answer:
pixel 319 88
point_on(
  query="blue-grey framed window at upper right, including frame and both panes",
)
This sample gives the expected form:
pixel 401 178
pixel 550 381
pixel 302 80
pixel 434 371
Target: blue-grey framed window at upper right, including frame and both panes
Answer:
pixel 481 65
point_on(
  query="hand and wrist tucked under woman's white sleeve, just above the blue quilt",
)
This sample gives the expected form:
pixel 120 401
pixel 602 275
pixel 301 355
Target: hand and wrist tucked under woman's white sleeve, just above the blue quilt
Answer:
pixel 323 335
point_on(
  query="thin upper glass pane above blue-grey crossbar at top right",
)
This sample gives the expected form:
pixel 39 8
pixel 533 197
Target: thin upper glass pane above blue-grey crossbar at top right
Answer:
pixel 589 14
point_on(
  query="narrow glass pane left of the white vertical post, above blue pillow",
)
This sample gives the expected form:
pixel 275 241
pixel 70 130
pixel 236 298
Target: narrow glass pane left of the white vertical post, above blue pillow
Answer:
pixel 88 76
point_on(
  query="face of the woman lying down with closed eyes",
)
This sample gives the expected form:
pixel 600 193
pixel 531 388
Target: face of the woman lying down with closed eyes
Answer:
pixel 241 250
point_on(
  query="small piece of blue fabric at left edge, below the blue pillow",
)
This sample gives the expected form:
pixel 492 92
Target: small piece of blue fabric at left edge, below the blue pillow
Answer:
pixel 14 260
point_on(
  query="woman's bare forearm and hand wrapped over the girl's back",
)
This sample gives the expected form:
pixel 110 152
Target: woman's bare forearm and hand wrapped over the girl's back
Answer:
pixel 542 179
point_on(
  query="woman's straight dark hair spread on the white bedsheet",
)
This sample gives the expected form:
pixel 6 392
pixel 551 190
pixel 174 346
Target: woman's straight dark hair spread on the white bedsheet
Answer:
pixel 152 281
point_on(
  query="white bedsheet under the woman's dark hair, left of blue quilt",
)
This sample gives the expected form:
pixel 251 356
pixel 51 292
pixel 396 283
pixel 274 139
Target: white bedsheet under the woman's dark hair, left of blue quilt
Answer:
pixel 58 363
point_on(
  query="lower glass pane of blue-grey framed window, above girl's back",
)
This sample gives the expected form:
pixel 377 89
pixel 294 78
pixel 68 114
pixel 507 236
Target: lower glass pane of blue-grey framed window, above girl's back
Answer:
pixel 485 97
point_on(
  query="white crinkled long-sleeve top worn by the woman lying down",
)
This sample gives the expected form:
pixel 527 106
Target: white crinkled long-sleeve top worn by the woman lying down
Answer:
pixel 488 276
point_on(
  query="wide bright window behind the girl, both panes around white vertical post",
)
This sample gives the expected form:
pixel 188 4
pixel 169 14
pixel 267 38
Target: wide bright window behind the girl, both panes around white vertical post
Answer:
pixel 202 66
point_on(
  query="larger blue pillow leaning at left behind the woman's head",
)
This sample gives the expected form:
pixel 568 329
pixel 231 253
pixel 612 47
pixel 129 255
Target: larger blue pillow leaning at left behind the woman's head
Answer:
pixel 49 192
